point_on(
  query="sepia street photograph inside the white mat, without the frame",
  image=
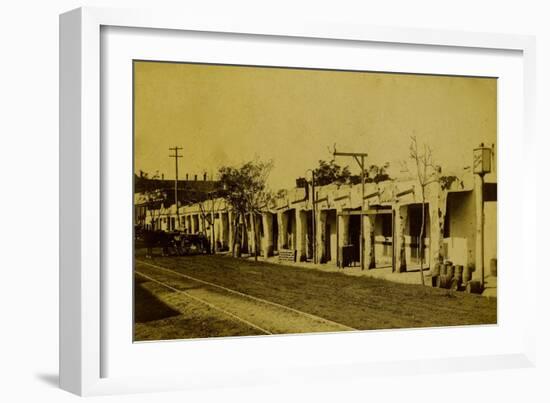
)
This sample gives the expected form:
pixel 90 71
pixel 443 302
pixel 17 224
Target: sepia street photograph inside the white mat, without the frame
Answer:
pixel 283 200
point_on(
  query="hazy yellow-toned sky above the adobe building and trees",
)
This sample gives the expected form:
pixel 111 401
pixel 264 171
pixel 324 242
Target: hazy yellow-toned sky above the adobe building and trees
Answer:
pixel 227 115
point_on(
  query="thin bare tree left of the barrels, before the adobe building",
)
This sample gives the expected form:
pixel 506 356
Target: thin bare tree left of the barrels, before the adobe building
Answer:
pixel 426 173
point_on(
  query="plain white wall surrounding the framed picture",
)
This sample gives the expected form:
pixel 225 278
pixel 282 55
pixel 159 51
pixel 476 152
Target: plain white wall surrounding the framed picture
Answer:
pixel 28 162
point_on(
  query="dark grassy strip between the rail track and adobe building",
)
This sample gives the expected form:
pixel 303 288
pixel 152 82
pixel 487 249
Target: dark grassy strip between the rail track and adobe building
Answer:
pixel 358 302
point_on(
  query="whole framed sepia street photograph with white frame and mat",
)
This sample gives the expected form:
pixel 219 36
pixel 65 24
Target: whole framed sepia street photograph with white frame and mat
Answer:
pixel 244 202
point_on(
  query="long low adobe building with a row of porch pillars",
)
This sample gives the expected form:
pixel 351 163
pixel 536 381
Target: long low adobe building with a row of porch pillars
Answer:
pixel 325 227
